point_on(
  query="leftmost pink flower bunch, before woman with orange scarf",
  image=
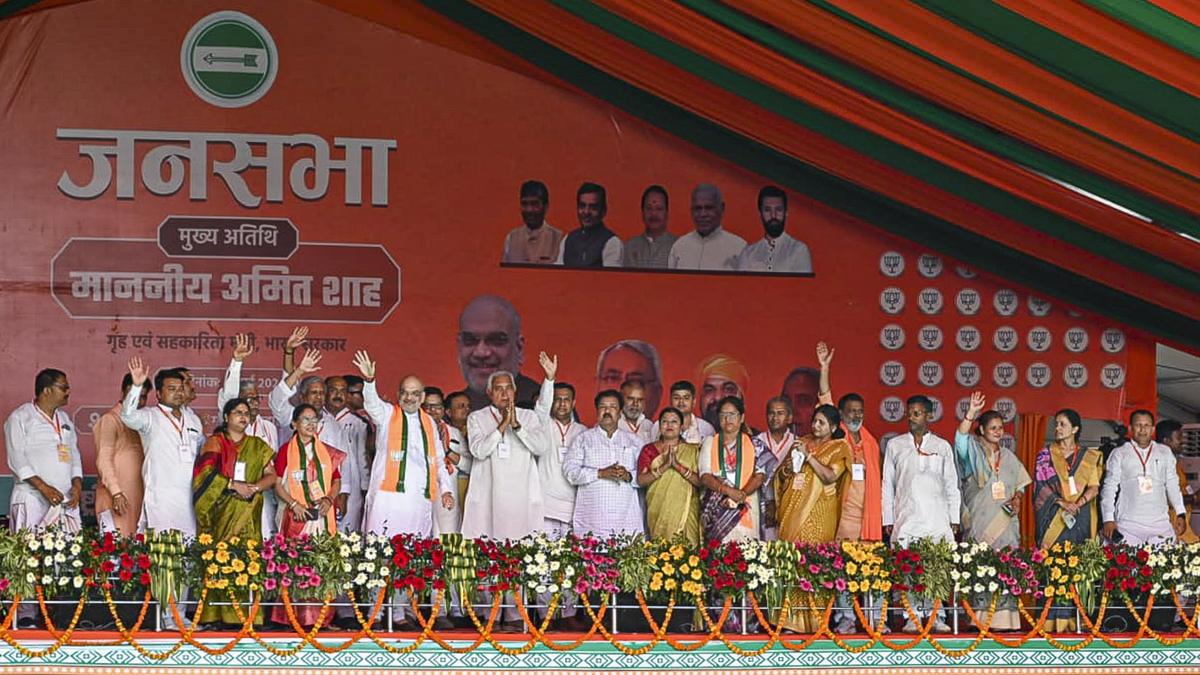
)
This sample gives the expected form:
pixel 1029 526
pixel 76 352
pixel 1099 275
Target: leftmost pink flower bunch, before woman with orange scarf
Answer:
pixel 307 566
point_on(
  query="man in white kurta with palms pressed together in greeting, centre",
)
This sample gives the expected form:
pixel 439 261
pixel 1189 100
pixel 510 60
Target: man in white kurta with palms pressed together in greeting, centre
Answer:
pixel 506 499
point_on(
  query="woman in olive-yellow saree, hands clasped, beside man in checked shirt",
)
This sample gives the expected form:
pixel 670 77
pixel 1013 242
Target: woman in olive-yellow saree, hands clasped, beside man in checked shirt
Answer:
pixel 669 470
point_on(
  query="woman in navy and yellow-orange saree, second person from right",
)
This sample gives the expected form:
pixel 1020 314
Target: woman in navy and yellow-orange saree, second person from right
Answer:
pixel 1066 486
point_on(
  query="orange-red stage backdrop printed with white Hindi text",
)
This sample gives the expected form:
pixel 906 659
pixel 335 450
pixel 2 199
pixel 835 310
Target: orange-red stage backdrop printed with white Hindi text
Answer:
pixel 368 194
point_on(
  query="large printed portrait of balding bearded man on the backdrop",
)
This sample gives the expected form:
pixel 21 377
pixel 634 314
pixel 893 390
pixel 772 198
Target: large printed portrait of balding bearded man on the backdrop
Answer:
pixel 490 341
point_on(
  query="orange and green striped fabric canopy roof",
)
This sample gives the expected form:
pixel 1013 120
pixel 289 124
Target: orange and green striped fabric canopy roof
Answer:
pixel 1054 144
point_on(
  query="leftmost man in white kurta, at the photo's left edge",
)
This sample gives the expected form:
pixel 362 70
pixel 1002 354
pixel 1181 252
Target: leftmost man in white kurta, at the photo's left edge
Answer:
pixel 44 457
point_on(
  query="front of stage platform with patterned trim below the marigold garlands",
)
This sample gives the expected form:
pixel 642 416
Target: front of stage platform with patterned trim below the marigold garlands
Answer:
pixel 400 653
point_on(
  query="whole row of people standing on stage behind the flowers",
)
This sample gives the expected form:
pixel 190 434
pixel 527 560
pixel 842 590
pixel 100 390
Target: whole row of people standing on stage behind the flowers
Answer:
pixel 333 455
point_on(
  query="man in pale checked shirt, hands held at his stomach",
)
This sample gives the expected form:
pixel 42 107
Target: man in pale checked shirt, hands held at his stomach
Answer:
pixel 602 464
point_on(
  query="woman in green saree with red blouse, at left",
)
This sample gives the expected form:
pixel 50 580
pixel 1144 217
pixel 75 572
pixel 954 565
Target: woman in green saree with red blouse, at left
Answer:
pixel 229 481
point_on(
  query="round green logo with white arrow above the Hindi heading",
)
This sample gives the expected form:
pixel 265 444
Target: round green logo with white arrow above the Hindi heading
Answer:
pixel 229 59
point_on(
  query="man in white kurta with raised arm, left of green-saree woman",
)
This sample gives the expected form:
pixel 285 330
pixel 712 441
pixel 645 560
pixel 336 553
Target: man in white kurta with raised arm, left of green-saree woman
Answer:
pixel 172 437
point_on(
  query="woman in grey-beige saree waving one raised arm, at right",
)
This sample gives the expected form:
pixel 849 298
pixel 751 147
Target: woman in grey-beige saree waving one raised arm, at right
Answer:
pixel 993 482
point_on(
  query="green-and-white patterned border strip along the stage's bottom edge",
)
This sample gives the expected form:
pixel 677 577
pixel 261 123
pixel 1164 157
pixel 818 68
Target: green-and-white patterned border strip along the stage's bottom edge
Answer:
pixel 823 655
